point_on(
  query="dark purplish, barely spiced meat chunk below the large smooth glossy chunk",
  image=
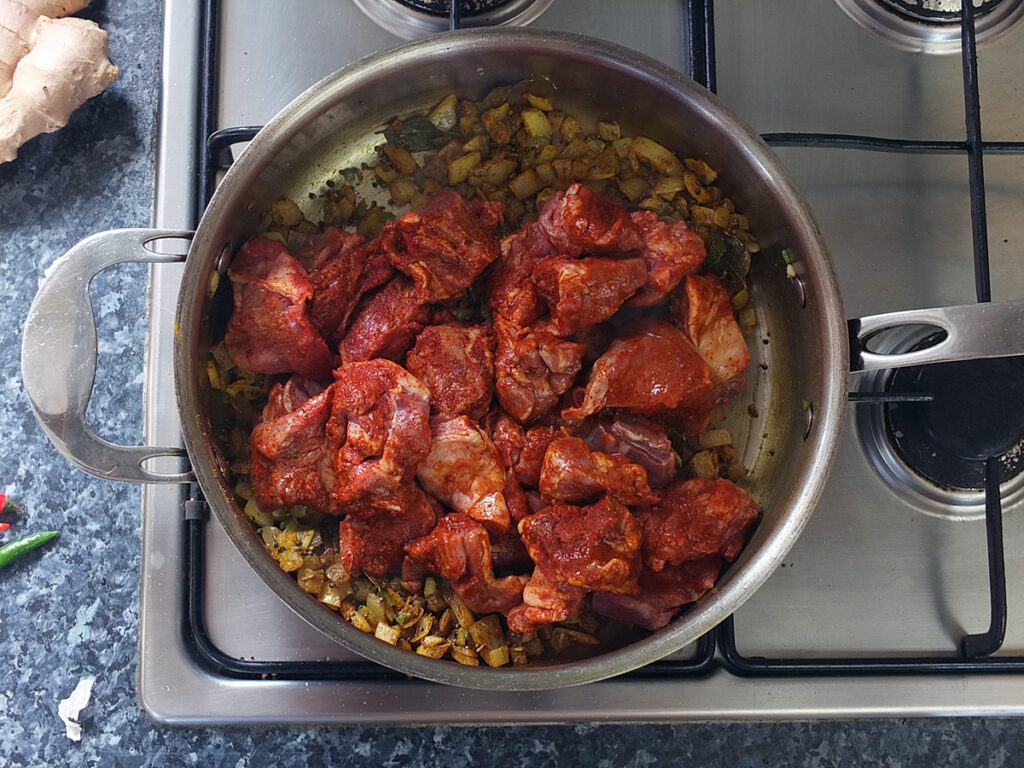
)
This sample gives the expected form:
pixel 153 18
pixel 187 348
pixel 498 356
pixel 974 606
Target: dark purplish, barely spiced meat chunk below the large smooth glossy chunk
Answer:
pixel 641 441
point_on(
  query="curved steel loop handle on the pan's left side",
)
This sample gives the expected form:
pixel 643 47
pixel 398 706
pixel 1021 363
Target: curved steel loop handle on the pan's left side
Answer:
pixel 59 356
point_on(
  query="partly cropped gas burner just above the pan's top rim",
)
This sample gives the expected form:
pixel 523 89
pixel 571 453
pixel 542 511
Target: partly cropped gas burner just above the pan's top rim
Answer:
pixel 412 19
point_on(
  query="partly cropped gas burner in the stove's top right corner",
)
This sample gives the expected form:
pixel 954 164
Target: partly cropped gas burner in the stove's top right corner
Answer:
pixel 932 26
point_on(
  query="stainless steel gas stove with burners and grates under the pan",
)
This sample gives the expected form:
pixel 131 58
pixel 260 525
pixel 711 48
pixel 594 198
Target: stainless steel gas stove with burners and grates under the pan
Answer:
pixel 865 102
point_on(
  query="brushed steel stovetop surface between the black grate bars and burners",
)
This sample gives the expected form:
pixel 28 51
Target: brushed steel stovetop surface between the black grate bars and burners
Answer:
pixel 873 576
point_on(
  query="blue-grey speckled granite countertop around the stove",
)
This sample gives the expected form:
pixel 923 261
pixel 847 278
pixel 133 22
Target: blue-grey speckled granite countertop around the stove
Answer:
pixel 71 611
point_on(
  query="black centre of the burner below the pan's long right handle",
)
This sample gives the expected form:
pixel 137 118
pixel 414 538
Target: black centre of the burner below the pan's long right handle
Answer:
pixel 977 412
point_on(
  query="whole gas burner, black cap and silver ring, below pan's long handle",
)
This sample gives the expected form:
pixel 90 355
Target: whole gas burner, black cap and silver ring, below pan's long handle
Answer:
pixel 933 454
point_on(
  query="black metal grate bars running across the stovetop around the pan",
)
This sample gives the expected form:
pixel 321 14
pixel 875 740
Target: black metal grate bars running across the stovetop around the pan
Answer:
pixel 976 651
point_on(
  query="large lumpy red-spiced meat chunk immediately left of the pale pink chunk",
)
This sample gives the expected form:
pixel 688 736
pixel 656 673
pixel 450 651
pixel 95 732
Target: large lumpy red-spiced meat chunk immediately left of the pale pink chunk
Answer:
pixel 379 431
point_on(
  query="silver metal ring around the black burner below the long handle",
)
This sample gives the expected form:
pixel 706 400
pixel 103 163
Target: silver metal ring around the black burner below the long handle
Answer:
pixel 895 472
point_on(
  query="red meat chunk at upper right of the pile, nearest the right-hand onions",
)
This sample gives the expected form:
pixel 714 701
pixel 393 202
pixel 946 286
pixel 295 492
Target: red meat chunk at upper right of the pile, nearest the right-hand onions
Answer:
pixel 671 252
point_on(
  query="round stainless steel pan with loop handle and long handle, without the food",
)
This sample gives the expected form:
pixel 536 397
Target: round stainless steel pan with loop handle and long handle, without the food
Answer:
pixel 798 380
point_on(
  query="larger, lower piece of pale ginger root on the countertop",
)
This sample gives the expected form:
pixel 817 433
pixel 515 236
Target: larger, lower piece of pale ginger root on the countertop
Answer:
pixel 66 66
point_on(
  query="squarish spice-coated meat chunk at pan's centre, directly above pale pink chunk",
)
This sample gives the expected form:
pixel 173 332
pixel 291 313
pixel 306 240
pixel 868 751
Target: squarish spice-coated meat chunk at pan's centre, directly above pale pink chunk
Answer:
pixel 457 364
